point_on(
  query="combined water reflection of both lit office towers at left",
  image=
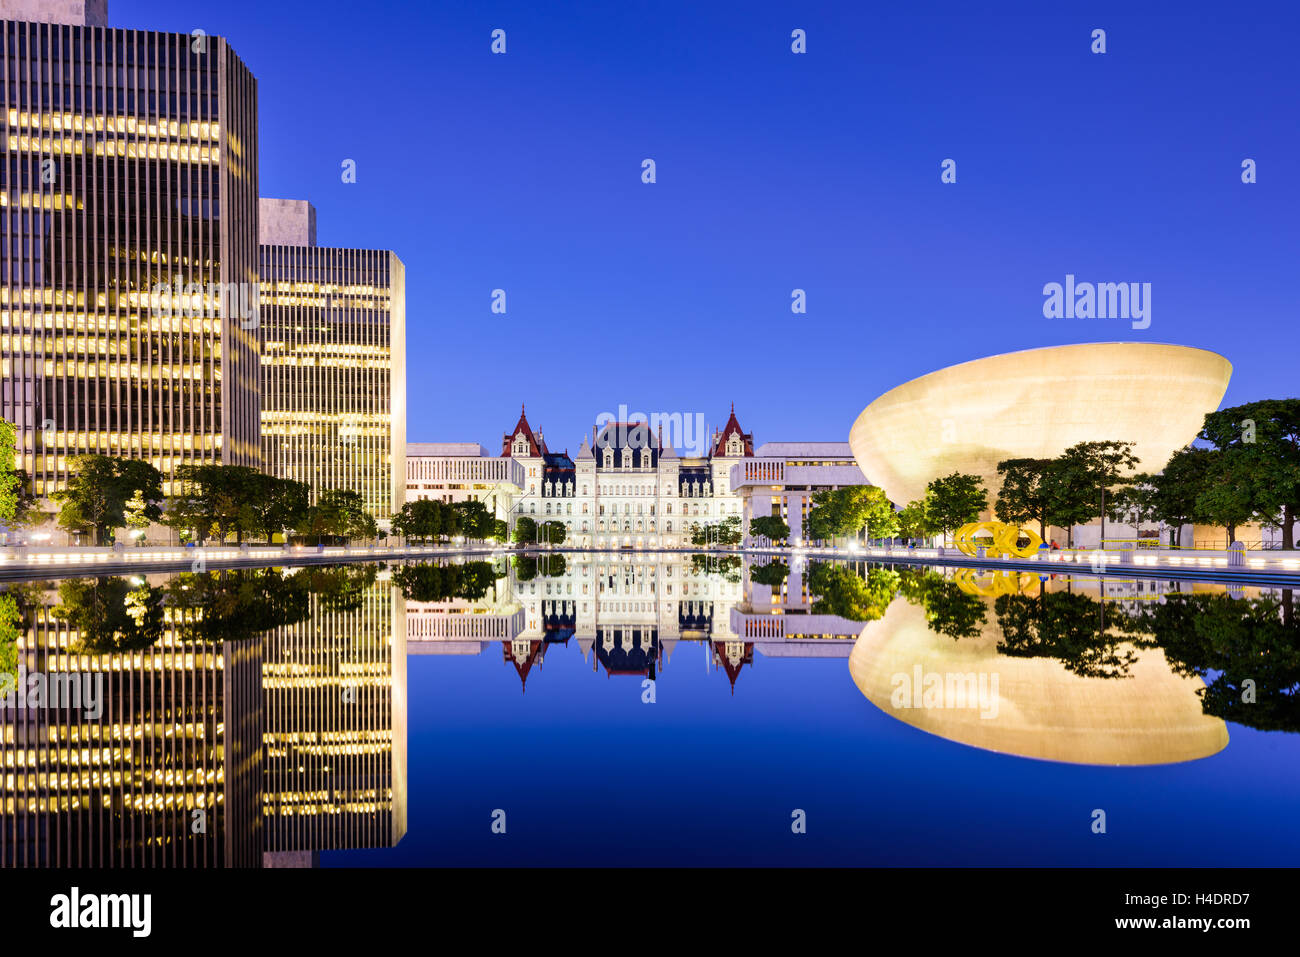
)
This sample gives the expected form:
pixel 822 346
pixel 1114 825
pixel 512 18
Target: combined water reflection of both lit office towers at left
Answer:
pixel 244 718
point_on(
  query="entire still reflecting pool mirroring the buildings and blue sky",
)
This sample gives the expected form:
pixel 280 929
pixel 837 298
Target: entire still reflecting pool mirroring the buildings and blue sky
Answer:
pixel 647 711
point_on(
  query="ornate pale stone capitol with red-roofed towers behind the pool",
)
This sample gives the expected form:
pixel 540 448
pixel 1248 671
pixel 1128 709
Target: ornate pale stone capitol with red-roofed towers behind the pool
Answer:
pixel 627 487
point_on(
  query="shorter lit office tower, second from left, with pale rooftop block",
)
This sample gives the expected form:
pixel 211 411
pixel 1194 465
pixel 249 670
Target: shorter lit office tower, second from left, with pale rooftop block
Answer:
pixel 333 361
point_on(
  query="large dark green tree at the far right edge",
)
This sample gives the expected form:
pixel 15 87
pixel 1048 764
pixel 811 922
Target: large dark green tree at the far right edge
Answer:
pixel 1268 435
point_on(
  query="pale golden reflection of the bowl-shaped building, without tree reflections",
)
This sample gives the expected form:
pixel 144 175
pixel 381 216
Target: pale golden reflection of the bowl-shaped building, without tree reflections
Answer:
pixel 1038 708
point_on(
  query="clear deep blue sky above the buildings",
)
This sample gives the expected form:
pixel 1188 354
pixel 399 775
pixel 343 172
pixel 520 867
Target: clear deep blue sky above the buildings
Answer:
pixel 778 172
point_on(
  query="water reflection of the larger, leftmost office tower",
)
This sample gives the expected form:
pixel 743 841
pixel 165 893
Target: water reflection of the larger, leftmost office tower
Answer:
pixel 144 748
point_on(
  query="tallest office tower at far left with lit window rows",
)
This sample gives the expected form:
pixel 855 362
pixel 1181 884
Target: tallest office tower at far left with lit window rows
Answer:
pixel 128 244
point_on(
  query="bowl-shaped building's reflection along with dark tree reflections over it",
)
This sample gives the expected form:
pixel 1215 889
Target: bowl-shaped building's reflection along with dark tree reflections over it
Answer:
pixel 1068 688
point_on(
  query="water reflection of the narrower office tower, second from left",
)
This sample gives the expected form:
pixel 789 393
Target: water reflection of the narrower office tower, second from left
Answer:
pixel 336 720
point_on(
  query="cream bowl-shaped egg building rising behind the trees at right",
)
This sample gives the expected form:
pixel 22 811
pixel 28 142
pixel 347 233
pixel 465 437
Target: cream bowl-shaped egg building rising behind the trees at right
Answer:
pixel 1037 404
